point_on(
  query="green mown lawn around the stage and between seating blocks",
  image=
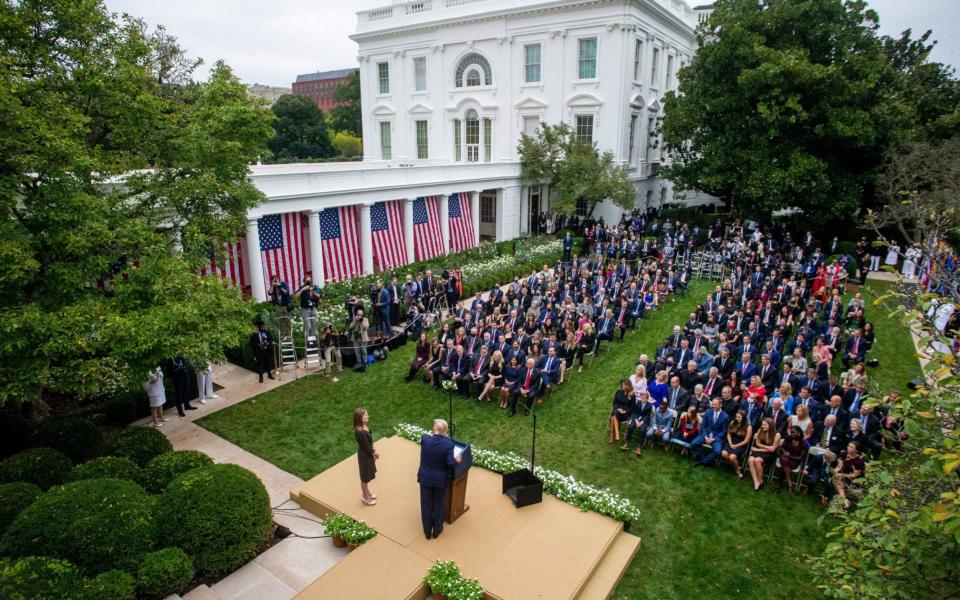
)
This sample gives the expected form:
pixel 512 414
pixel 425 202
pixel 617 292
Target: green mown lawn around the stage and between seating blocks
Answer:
pixel 704 532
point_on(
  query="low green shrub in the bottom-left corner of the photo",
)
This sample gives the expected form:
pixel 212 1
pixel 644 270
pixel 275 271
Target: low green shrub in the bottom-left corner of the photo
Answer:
pixel 38 577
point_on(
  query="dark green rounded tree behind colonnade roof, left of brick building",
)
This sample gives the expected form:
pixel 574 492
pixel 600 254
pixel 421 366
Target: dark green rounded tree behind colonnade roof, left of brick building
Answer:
pixel 301 130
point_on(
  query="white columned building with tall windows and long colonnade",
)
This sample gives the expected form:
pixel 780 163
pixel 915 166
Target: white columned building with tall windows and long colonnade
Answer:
pixel 448 86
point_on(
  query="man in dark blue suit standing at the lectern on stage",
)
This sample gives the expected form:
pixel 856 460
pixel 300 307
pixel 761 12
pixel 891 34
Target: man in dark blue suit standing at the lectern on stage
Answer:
pixel 436 459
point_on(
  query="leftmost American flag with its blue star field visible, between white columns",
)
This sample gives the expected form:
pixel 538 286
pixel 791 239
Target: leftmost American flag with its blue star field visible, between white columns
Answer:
pixel 283 248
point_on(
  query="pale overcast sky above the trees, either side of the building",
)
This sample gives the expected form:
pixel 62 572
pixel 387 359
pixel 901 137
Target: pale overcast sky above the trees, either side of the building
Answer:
pixel 271 42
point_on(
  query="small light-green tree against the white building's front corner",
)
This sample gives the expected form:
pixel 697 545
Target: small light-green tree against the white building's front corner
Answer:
pixel 574 168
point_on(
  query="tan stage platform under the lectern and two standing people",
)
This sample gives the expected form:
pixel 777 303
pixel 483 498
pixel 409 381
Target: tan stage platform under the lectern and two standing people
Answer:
pixel 550 550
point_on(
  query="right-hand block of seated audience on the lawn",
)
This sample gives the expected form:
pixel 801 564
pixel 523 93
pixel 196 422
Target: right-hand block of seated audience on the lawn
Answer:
pixel 748 379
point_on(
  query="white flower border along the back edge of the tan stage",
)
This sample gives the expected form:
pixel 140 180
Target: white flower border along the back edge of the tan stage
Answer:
pixel 569 489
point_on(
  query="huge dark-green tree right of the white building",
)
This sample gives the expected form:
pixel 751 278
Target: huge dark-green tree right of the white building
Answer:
pixel 792 104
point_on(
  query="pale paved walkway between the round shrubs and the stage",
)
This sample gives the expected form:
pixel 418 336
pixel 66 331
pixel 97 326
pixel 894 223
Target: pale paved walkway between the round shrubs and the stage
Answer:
pixel 292 564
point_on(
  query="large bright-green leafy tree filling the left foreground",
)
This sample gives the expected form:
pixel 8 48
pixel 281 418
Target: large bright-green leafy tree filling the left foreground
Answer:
pixel 119 177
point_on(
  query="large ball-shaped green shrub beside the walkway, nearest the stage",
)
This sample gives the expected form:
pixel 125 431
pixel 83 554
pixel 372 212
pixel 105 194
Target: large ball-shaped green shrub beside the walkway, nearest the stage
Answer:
pixel 218 514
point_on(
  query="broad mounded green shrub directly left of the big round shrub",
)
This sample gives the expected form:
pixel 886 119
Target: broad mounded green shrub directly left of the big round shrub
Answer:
pixel 99 524
